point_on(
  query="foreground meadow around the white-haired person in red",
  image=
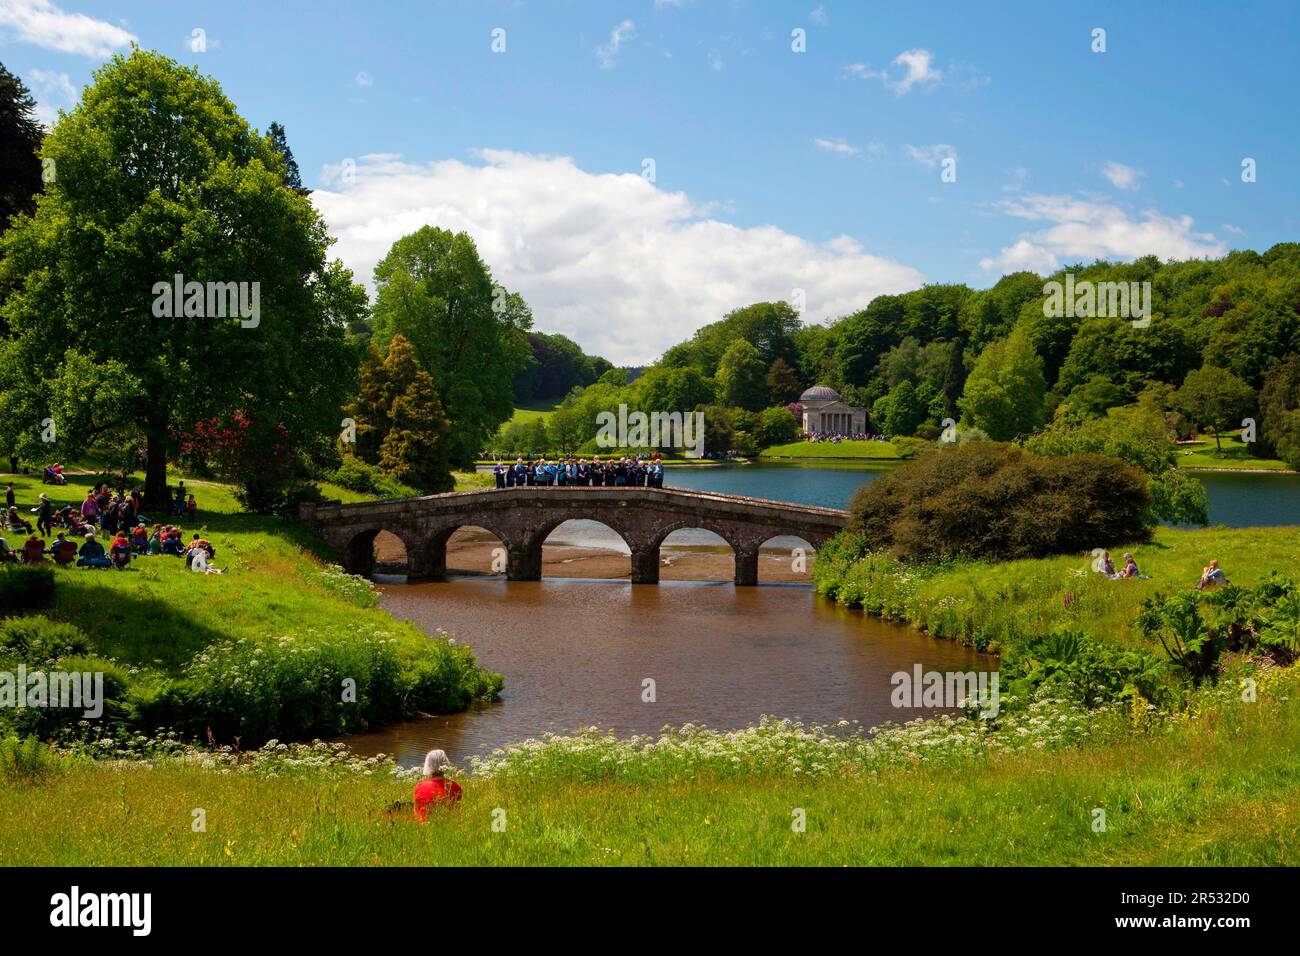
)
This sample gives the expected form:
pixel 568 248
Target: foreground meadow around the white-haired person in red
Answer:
pixel 1216 789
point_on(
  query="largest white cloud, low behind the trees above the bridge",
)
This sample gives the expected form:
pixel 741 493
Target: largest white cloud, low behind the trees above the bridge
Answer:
pixel 612 261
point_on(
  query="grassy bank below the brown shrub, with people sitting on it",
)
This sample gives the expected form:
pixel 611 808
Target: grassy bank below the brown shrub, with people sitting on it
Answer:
pixel 993 605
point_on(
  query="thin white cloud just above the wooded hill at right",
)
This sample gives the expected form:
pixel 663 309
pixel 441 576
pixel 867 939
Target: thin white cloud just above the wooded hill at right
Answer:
pixel 1086 230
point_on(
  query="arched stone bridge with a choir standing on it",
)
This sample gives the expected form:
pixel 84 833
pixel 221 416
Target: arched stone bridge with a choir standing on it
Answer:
pixel 523 518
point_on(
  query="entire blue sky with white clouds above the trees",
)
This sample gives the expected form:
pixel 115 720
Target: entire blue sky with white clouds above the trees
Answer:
pixel 639 170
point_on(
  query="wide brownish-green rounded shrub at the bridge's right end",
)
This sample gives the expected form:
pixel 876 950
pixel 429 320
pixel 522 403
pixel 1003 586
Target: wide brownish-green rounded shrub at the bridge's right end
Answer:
pixel 995 501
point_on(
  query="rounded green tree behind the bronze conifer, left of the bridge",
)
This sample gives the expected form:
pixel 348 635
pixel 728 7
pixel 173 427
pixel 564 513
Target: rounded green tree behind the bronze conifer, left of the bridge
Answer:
pixel 470 336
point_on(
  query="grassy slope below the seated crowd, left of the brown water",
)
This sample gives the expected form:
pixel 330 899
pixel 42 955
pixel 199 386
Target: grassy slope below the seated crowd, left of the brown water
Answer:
pixel 261 651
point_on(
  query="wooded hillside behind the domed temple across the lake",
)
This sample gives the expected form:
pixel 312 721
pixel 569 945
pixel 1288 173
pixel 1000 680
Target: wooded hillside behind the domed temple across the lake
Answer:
pixel 1220 348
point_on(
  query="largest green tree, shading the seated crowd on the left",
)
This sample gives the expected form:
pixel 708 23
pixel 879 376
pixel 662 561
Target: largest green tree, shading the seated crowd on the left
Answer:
pixel 159 176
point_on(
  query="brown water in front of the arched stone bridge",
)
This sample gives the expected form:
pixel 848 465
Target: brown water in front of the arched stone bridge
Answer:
pixel 575 655
